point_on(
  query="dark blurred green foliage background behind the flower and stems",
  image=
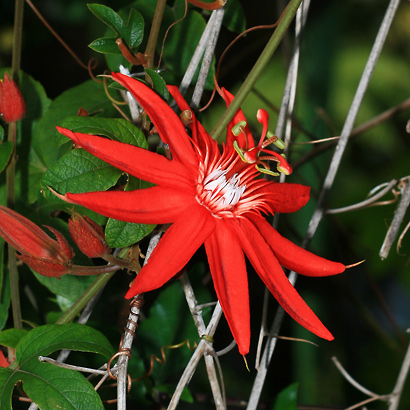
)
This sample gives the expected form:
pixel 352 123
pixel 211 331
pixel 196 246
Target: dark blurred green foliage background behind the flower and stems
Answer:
pixel 366 308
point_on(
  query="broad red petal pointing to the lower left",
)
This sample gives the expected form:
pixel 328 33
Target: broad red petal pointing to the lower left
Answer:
pixel 174 250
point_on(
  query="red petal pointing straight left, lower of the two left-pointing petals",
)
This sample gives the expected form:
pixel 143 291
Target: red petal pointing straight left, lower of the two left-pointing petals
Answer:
pixel 154 205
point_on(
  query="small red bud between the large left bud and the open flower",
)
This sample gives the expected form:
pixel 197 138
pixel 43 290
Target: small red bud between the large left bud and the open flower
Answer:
pixel 88 236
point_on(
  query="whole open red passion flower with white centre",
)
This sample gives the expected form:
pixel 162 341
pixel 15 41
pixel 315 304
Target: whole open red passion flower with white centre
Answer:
pixel 212 198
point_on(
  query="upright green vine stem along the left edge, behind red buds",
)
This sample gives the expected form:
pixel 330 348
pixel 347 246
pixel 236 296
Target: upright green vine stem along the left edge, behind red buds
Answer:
pixel 11 169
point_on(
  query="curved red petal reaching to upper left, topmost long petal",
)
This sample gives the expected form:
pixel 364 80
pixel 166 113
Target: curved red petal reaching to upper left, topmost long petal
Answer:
pixel 168 124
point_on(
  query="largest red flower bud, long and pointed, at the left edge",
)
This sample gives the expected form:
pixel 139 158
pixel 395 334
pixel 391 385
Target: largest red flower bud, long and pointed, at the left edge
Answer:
pixel 40 252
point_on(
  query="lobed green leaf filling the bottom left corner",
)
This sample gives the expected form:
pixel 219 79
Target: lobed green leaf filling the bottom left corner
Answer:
pixel 52 387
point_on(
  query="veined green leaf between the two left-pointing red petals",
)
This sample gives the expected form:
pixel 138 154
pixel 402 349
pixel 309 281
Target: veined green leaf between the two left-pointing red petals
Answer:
pixel 79 171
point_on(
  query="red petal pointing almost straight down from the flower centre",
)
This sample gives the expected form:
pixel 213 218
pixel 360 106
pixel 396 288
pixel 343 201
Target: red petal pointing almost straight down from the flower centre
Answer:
pixel 228 270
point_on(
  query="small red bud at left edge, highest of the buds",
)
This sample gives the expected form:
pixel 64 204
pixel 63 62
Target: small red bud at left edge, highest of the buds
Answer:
pixel 12 106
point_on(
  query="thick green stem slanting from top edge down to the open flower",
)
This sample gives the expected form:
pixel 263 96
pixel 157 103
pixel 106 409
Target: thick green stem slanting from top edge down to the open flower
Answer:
pixel 273 43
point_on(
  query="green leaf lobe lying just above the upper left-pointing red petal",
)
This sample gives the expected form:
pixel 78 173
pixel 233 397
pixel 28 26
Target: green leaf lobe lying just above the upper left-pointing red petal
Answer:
pixel 114 128
